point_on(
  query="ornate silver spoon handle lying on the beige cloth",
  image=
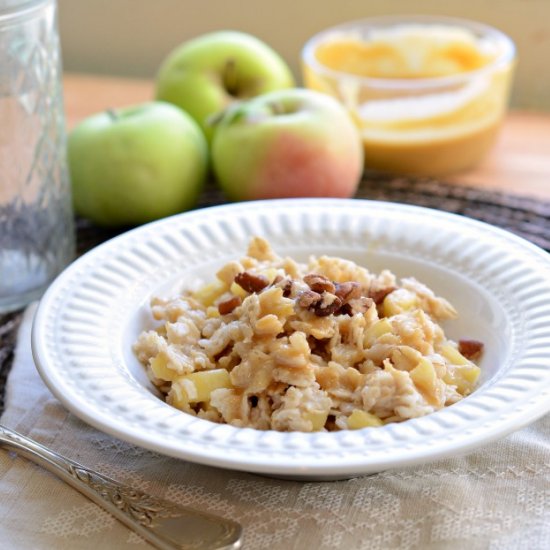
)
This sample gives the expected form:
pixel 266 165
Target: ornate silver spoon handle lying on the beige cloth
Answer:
pixel 164 524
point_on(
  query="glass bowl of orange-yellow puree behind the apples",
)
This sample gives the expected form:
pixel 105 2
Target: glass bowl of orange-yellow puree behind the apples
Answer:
pixel 428 93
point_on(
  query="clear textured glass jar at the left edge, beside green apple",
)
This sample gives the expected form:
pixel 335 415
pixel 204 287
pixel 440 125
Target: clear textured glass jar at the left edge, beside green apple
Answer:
pixel 36 219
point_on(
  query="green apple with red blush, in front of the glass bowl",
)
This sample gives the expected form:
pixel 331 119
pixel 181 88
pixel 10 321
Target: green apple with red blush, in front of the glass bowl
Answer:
pixel 288 143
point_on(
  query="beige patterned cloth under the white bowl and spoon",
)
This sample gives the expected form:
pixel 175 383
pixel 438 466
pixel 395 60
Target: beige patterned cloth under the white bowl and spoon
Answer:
pixel 495 498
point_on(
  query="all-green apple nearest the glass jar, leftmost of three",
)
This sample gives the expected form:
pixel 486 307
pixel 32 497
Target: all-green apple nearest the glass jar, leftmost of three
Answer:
pixel 136 164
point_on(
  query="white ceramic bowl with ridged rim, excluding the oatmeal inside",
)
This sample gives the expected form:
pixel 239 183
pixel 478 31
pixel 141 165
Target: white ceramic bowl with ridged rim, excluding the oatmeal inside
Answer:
pixel 87 321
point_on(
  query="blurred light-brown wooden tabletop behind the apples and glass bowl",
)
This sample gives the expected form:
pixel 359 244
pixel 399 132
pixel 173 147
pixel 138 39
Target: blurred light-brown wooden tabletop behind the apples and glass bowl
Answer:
pixel 519 163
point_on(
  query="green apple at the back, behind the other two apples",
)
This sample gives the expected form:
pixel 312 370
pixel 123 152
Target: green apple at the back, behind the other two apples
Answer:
pixel 206 74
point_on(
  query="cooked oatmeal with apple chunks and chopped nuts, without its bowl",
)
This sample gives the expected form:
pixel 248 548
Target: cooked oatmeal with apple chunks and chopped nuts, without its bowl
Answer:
pixel 276 344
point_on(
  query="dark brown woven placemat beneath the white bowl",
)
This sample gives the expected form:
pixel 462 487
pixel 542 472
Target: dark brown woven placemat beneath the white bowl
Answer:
pixel 524 216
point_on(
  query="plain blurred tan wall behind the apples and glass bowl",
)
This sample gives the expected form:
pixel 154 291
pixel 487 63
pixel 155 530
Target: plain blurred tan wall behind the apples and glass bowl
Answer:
pixel 131 37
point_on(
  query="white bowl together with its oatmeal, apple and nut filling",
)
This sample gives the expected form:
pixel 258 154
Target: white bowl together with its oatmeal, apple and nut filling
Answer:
pixel 304 338
